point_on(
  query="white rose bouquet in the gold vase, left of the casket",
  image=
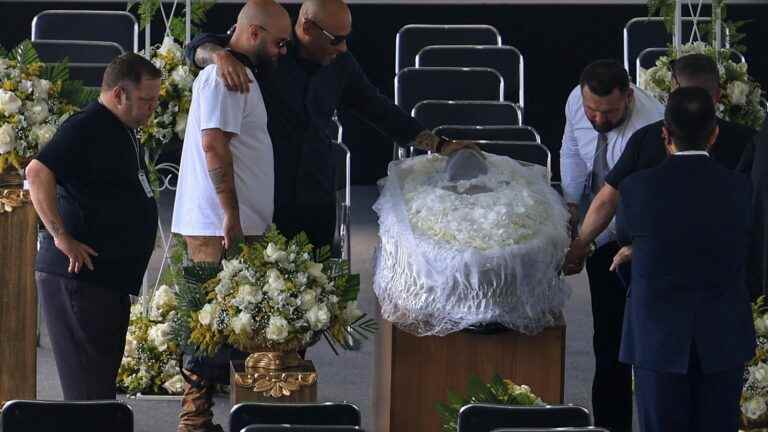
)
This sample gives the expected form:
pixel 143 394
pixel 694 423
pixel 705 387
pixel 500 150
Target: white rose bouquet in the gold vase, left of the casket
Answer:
pixel 277 295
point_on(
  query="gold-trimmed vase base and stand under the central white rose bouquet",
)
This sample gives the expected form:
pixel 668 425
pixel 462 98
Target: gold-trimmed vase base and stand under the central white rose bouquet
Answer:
pixel 273 377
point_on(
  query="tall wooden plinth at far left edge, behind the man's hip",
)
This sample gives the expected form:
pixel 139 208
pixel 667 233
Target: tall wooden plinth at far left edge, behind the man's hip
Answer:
pixel 18 304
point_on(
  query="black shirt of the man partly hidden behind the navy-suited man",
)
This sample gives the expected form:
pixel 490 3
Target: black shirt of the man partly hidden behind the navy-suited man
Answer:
pixel 645 149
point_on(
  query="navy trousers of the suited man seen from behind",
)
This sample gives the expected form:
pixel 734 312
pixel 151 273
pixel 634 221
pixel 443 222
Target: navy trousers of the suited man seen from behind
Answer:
pixel 692 402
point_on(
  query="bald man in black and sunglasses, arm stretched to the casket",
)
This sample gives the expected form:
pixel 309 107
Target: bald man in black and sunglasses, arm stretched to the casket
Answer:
pixel 317 76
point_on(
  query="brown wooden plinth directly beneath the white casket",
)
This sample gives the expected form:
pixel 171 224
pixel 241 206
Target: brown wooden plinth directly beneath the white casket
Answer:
pixel 414 373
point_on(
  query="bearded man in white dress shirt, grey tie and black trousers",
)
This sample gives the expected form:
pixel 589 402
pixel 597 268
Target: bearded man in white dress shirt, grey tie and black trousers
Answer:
pixel 602 112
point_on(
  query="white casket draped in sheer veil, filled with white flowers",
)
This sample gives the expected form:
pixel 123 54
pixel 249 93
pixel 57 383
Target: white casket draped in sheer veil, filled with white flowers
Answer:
pixel 457 253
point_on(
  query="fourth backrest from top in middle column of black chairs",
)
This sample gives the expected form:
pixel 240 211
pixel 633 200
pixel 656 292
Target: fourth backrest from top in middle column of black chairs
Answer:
pixel 433 113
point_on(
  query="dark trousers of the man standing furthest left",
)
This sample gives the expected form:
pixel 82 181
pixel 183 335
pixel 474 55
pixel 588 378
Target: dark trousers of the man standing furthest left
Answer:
pixel 87 324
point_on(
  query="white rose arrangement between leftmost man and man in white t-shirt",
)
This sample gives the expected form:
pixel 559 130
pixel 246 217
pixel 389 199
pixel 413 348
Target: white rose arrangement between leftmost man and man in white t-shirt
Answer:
pixel 169 121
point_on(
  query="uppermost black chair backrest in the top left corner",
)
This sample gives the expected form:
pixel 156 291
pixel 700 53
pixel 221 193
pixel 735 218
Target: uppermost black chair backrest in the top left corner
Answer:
pixel 87 25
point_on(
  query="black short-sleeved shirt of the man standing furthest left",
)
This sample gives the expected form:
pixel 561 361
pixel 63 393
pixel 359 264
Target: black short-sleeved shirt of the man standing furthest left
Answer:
pixel 101 200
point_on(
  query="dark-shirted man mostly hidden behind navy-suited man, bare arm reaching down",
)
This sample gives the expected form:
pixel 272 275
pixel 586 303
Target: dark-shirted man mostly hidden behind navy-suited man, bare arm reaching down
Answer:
pixel 645 149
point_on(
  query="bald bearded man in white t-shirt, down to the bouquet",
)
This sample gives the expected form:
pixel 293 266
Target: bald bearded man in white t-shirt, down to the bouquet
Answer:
pixel 226 178
